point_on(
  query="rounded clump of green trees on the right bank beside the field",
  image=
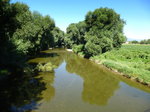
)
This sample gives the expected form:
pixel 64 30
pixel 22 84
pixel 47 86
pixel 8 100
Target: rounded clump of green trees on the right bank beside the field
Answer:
pixel 101 31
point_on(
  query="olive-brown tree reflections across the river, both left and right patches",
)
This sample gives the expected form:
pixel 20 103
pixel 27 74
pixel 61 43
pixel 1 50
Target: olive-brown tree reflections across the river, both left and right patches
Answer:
pixel 93 77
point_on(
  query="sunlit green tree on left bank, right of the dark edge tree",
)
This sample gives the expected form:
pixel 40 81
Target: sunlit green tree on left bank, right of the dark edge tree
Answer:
pixel 34 33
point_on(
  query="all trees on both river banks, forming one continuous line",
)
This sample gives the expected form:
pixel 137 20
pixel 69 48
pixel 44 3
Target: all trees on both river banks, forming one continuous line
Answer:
pixel 24 34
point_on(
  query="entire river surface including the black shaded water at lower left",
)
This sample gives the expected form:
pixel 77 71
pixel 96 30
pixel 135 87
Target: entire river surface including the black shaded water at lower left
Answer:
pixel 76 85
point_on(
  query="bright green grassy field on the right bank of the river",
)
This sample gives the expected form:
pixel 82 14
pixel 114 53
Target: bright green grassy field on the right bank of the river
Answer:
pixel 133 60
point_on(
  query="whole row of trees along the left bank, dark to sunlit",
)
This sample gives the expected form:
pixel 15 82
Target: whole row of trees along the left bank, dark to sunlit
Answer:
pixel 24 33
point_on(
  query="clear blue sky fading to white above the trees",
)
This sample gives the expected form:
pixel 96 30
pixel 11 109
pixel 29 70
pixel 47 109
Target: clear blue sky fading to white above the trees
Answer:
pixel 136 13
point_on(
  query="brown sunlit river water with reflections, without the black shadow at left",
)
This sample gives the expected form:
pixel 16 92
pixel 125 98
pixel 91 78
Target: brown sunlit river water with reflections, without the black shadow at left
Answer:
pixel 79 85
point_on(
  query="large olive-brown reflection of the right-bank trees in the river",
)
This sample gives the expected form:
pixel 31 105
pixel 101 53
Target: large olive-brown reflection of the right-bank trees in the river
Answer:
pixel 98 86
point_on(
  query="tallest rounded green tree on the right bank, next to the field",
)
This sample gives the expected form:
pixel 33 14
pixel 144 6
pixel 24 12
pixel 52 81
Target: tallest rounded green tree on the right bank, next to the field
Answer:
pixel 104 31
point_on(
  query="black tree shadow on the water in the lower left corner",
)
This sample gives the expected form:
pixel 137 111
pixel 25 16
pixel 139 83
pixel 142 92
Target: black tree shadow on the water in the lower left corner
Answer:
pixel 20 92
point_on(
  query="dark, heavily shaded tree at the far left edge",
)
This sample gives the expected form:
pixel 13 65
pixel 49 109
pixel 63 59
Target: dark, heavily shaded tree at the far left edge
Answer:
pixel 7 29
